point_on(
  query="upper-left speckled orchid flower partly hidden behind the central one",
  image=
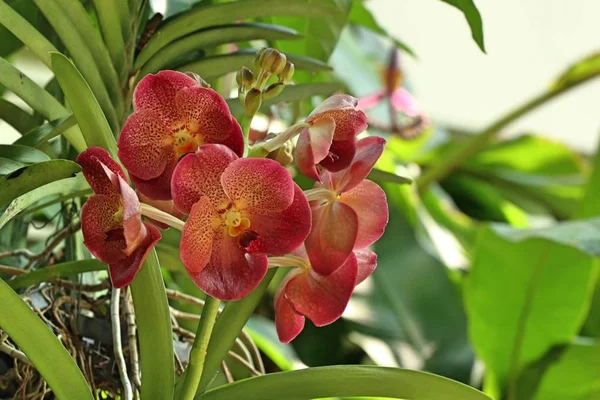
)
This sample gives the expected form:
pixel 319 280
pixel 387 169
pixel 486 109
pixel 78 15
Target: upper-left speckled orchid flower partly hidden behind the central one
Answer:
pixel 173 115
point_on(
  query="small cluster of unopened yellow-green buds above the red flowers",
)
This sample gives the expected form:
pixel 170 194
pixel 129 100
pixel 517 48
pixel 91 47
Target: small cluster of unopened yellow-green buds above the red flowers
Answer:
pixel 268 62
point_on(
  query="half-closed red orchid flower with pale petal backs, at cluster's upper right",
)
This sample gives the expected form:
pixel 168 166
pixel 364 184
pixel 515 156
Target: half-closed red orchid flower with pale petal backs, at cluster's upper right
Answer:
pixel 330 138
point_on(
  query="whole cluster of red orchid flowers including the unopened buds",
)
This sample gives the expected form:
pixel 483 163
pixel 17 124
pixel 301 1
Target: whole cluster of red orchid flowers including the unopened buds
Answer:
pixel 184 152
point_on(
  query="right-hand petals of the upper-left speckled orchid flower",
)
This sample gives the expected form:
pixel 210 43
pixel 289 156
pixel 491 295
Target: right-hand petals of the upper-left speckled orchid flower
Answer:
pixel 207 117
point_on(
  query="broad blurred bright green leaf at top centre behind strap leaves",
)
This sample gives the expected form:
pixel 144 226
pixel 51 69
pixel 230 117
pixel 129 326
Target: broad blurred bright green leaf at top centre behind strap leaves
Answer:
pixel 320 32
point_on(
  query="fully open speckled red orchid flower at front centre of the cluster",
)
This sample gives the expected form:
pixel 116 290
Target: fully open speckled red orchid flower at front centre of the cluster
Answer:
pixel 241 209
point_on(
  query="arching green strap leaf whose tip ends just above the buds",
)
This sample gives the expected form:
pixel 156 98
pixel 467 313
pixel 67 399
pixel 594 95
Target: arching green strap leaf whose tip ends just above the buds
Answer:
pixel 212 37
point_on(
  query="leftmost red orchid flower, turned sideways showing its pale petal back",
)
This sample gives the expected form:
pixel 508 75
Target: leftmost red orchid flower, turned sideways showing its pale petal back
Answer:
pixel 111 222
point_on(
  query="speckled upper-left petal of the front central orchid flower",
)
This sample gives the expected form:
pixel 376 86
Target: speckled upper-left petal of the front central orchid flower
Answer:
pixel 199 174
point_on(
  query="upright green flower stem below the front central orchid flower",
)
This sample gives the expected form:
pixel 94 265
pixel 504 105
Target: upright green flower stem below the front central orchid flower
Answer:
pixel 198 352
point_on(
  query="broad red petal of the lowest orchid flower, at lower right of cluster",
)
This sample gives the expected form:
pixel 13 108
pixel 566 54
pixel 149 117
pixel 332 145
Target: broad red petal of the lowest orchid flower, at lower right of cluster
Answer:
pixel 323 299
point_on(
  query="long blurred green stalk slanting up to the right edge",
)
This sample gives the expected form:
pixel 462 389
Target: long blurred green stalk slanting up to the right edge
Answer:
pixel 448 164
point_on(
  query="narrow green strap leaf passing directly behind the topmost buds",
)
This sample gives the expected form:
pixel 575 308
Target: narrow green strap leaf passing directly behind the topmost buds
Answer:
pixel 213 67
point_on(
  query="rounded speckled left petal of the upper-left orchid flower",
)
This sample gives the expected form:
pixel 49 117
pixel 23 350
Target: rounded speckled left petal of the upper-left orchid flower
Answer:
pixel 145 145
